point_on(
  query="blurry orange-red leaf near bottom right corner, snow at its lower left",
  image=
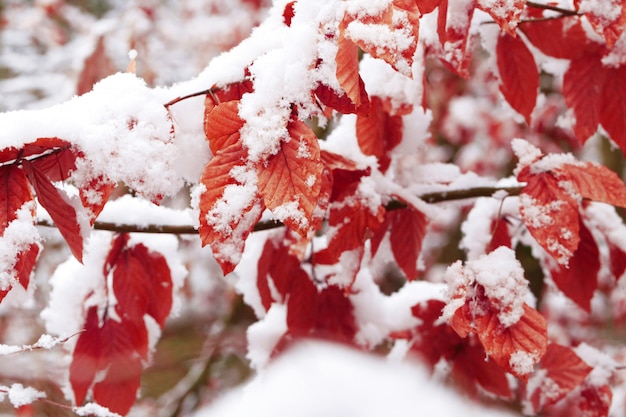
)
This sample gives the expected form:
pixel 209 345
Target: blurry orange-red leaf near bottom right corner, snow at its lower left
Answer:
pixel 564 372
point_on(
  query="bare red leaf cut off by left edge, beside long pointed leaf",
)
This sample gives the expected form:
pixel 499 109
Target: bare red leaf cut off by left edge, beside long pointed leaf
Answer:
pixel 15 191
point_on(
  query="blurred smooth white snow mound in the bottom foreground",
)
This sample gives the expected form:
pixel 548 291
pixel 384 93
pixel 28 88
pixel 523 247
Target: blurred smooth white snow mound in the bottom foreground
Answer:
pixel 319 379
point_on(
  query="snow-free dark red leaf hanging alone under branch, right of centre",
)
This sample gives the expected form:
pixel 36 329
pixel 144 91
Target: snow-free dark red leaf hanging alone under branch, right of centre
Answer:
pixel 408 228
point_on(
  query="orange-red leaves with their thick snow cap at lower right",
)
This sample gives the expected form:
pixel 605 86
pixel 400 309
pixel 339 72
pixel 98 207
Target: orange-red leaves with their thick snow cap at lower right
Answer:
pixel 486 298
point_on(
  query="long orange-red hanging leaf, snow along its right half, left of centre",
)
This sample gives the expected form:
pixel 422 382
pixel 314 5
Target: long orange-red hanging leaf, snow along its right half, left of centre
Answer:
pixel 226 219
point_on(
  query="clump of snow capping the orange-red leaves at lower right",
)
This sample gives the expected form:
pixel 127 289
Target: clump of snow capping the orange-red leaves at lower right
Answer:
pixel 502 277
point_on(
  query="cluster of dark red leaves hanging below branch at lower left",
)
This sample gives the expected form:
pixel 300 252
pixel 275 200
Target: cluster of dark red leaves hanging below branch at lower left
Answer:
pixel 113 348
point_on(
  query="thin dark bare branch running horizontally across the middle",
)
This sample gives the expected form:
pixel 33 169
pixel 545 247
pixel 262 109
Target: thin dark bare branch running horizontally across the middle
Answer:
pixel 431 198
